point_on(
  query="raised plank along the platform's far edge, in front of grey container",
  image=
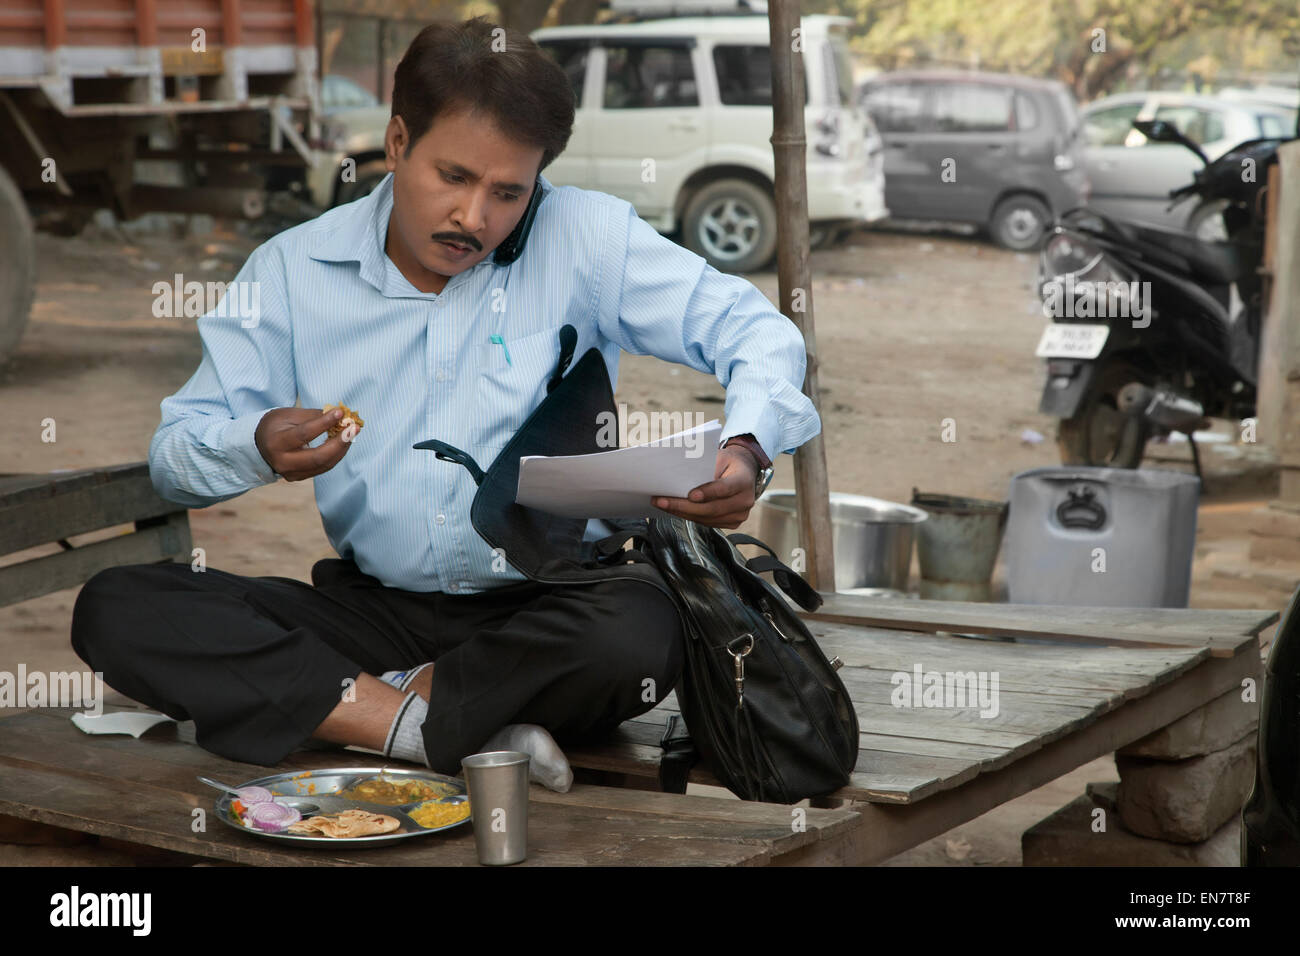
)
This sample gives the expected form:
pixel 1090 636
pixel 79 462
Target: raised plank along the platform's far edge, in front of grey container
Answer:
pixel 1223 631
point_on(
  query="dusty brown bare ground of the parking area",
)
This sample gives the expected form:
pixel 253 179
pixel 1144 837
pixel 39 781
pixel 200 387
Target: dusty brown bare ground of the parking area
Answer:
pixel 912 330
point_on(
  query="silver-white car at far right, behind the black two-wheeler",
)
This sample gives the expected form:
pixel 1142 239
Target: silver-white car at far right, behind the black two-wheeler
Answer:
pixel 1132 178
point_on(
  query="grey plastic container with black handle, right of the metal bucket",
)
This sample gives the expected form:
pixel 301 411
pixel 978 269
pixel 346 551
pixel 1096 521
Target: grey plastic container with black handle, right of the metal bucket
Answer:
pixel 1108 538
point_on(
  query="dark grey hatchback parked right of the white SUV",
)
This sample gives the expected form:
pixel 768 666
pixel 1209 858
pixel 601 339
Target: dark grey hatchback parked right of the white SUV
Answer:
pixel 996 150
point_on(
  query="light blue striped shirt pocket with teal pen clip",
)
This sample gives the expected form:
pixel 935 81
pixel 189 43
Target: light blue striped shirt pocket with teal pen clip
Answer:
pixel 510 383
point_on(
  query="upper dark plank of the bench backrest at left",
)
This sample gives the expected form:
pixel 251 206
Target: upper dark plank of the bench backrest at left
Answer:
pixel 67 505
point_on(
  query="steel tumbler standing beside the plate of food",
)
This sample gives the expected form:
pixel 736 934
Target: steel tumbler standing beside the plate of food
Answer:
pixel 499 793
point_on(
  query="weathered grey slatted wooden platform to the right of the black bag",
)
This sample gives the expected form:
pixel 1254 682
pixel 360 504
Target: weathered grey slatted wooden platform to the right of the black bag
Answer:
pixel 1074 685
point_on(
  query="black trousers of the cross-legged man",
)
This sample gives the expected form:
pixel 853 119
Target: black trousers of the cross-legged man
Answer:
pixel 259 663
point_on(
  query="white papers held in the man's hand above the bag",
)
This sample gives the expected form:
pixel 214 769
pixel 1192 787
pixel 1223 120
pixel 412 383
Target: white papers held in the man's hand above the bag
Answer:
pixel 621 483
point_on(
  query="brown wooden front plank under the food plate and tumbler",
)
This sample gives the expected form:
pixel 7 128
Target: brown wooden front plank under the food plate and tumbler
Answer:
pixel 145 793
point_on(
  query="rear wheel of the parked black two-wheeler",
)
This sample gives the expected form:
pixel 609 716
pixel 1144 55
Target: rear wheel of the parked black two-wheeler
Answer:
pixel 1100 435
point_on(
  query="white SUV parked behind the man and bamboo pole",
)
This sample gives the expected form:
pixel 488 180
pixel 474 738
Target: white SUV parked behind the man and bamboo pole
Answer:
pixel 675 116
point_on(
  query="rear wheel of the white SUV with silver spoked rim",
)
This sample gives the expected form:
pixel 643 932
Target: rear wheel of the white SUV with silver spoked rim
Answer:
pixel 733 224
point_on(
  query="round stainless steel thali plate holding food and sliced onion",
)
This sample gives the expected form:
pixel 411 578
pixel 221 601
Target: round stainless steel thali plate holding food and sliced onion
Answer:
pixel 319 793
